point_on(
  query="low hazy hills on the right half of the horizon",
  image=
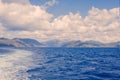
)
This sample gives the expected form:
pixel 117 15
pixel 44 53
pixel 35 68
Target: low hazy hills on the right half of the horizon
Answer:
pixel 90 44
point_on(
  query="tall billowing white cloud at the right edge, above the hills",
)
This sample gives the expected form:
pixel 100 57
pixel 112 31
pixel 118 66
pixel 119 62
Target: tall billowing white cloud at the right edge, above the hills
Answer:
pixel 103 24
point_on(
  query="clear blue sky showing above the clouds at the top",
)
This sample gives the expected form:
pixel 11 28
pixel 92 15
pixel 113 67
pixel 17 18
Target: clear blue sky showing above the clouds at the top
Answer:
pixel 83 6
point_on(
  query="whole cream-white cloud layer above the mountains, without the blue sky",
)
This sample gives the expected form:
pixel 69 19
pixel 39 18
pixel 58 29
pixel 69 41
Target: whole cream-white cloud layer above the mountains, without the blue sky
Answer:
pixel 22 19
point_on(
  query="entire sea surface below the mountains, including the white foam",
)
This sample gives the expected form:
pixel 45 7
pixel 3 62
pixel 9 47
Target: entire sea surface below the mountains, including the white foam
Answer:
pixel 60 64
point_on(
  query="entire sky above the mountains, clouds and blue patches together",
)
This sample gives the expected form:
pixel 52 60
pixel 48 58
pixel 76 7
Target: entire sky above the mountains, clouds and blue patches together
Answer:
pixel 61 19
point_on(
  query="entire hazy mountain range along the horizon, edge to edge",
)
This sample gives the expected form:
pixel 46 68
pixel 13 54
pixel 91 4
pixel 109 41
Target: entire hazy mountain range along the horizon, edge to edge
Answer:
pixel 27 42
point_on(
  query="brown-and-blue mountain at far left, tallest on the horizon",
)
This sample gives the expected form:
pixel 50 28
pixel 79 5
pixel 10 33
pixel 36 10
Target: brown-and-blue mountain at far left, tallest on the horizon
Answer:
pixel 19 42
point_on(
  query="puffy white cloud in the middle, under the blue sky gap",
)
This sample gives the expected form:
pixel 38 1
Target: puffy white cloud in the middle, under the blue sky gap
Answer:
pixel 70 23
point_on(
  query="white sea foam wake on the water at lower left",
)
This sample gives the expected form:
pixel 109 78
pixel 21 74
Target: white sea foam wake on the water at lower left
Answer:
pixel 13 66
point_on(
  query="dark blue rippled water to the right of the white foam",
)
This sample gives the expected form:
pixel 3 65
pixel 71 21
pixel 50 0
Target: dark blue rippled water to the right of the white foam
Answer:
pixel 76 64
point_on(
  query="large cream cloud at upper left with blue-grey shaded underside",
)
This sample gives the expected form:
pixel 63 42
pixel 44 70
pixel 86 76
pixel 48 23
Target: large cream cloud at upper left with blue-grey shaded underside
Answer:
pixel 18 16
